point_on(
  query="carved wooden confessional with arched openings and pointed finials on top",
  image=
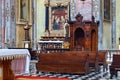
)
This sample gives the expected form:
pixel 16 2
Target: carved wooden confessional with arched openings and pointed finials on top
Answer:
pixel 83 35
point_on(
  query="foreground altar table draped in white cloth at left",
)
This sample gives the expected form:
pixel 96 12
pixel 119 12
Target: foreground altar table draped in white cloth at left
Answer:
pixel 13 61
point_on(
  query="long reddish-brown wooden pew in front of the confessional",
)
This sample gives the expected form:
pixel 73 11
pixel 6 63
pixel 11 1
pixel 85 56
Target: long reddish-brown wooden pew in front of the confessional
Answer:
pixel 66 62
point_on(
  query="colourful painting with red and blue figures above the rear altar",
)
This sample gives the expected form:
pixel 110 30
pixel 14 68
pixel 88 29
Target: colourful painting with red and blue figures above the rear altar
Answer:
pixel 58 16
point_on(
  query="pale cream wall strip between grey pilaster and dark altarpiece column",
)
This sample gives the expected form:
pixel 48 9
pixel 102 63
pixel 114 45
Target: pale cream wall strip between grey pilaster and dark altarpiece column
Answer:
pixel 40 18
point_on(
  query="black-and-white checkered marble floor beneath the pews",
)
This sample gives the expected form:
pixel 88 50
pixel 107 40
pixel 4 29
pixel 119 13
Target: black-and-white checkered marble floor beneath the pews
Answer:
pixel 90 76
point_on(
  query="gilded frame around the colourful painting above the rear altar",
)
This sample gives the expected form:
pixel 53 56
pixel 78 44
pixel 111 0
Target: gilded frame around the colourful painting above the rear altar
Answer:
pixel 65 9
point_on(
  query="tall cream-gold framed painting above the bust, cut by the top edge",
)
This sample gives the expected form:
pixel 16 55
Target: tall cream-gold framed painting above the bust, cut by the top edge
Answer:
pixel 24 11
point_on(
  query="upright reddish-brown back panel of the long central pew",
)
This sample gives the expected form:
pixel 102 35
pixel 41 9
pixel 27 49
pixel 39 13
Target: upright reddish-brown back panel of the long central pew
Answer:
pixel 63 58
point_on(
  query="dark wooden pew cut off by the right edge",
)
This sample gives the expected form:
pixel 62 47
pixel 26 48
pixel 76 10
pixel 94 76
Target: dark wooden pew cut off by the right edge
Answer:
pixel 115 66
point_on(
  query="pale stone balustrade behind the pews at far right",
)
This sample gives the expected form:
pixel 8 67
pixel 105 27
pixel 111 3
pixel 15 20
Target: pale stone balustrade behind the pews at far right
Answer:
pixel 110 53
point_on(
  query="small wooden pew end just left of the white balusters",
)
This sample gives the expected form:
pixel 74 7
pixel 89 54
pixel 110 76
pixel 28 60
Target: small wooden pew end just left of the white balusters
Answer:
pixel 102 60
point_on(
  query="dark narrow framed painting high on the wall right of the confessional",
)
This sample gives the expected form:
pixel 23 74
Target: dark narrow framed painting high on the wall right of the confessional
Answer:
pixel 107 10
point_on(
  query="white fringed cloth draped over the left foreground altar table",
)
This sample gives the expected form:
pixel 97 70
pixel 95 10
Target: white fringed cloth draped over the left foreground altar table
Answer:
pixel 16 53
